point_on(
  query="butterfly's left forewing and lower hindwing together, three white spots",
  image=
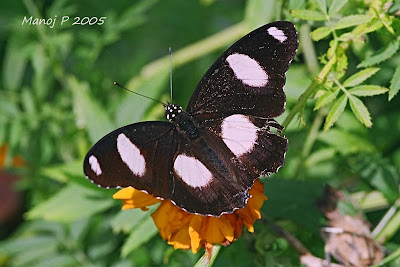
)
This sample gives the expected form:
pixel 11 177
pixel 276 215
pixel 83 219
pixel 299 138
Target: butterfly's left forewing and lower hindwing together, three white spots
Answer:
pixel 156 158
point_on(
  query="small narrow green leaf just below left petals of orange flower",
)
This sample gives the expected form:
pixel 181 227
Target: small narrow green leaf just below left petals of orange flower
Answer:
pixel 141 234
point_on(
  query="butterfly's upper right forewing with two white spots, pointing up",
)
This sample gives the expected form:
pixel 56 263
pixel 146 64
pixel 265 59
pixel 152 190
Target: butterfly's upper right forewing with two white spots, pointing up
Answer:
pixel 248 78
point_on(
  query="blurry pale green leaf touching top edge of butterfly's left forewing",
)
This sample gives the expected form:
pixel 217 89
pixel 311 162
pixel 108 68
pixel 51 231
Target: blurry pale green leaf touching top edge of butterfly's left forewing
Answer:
pixel 88 111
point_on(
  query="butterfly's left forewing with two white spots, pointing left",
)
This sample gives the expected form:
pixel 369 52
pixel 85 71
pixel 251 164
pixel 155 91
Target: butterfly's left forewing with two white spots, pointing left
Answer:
pixel 137 155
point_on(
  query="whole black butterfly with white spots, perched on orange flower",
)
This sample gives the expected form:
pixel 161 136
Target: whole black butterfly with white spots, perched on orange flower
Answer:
pixel 206 158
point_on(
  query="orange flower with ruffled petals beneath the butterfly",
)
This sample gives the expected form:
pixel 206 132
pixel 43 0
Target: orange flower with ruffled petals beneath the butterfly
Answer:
pixel 184 230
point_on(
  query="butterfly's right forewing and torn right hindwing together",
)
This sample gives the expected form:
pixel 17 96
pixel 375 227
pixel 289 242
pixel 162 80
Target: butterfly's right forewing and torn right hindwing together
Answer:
pixel 241 93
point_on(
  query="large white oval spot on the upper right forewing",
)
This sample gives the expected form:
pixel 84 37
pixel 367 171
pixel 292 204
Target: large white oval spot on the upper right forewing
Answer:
pixel 247 70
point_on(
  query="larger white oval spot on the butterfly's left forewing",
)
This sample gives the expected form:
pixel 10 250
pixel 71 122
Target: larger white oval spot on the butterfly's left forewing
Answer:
pixel 130 154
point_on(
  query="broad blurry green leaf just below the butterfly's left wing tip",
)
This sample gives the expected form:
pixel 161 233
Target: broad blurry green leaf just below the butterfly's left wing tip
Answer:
pixel 71 203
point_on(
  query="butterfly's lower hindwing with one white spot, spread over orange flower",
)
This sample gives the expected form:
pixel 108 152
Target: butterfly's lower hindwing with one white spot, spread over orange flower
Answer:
pixel 207 177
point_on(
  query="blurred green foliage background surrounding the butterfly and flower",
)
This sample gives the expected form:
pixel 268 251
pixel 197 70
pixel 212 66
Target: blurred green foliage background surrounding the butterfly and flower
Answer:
pixel 57 99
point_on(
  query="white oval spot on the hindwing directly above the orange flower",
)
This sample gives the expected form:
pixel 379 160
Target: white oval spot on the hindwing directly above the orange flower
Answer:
pixel 192 171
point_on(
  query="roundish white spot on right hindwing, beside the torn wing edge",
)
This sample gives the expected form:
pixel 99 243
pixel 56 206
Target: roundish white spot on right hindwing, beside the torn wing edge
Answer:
pixel 239 134
